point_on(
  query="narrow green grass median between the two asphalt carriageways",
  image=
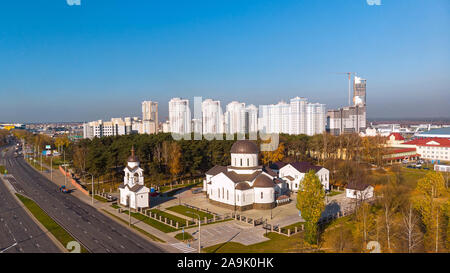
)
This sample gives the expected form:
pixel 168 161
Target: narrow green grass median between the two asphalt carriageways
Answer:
pixel 60 233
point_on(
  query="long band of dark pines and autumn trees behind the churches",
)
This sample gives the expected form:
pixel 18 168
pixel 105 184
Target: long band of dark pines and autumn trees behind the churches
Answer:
pixel 163 158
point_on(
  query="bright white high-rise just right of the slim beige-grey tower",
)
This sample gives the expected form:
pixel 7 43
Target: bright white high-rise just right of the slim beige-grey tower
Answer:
pixel 180 116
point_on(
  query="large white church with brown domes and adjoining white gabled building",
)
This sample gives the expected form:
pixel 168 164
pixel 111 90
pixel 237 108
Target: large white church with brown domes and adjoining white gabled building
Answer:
pixel 247 185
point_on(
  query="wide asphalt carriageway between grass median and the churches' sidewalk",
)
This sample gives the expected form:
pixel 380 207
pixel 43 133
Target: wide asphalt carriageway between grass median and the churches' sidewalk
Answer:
pixel 97 232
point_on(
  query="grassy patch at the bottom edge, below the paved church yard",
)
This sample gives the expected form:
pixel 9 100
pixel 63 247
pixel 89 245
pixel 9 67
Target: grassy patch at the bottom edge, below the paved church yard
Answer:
pixel 277 244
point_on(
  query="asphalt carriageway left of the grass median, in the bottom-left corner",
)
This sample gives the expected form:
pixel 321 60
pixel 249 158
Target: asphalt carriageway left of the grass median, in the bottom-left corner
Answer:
pixel 18 232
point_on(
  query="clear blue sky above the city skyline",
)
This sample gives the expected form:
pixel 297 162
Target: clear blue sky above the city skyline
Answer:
pixel 102 58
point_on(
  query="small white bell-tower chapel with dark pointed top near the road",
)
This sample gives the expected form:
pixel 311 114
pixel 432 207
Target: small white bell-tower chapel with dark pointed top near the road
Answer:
pixel 133 193
